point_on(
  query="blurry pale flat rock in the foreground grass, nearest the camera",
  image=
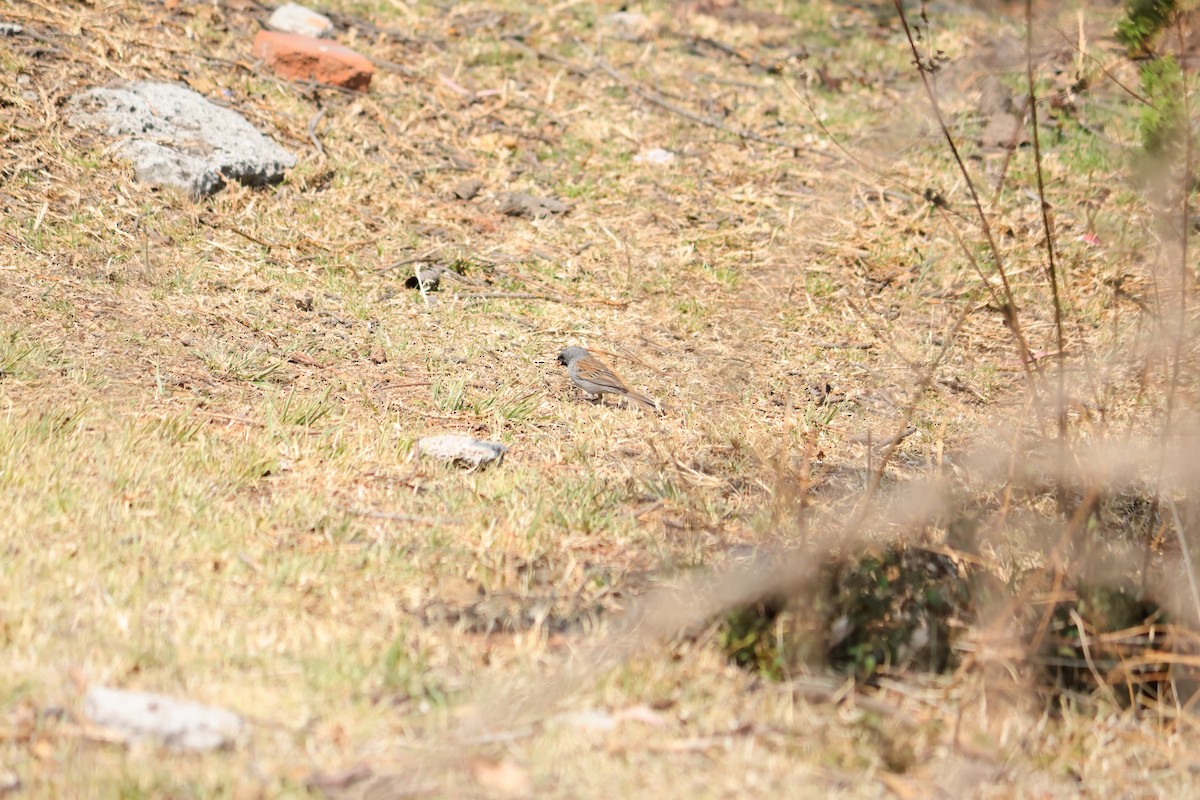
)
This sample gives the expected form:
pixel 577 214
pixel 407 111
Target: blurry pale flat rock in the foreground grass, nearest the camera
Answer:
pixel 181 725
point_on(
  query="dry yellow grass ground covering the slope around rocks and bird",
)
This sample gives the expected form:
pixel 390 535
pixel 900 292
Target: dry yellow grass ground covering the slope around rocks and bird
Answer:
pixel 199 455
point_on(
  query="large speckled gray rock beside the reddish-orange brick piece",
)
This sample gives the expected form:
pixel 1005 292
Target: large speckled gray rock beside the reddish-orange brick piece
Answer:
pixel 176 137
